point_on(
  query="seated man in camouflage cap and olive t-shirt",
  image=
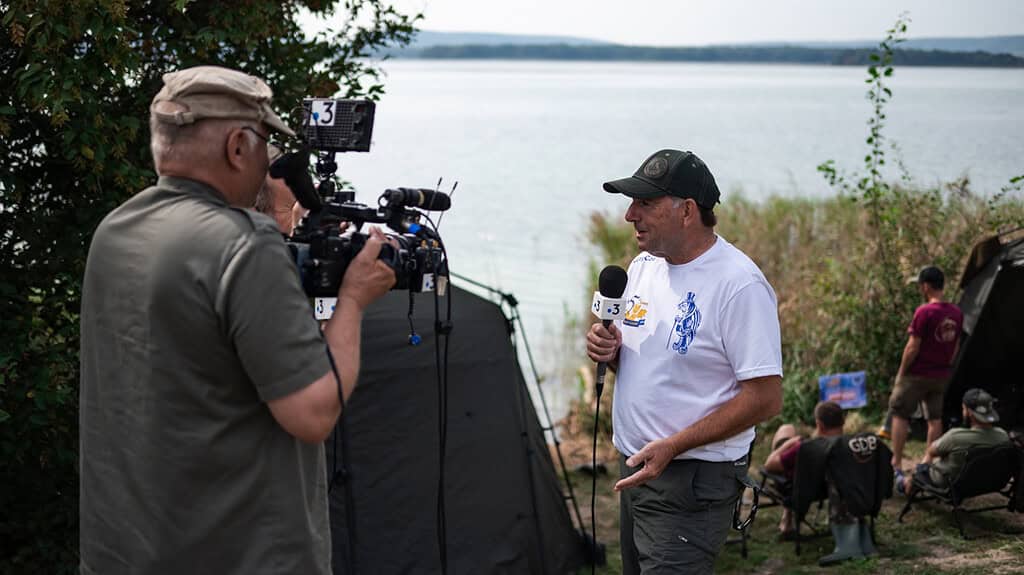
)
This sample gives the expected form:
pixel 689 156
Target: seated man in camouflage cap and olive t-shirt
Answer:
pixel 945 458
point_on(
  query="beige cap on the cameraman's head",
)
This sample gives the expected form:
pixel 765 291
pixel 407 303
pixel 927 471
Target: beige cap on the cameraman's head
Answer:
pixel 215 93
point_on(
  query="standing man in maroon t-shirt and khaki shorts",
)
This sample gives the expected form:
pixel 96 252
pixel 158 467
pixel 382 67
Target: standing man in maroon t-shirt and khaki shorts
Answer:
pixel 928 357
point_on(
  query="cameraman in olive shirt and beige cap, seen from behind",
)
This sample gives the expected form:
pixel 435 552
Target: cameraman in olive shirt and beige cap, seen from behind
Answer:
pixel 207 386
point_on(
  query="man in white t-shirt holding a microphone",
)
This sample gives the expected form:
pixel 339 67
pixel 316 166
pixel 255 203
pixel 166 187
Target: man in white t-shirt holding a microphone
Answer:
pixel 700 364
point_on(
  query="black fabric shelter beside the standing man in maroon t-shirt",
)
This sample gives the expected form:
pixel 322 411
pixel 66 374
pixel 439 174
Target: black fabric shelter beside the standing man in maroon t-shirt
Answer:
pixel 993 344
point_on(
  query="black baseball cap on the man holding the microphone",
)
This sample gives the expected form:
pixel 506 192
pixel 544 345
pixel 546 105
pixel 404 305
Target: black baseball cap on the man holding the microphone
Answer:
pixel 670 172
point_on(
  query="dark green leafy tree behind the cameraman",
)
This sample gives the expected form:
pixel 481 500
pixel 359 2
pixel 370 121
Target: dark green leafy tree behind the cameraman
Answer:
pixel 78 77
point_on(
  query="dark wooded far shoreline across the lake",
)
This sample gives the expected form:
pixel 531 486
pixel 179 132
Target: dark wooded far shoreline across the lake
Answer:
pixel 748 55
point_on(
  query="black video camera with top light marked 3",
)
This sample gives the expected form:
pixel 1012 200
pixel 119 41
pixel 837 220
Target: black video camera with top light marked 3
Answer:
pixel 321 250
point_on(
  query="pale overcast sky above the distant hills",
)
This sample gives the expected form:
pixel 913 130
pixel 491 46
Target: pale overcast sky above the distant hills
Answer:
pixel 717 22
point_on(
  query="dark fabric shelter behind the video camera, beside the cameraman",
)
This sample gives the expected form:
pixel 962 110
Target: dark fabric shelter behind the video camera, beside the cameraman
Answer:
pixel 505 511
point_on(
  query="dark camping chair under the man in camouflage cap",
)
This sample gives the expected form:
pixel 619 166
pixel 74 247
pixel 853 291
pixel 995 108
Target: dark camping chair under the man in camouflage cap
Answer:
pixel 987 470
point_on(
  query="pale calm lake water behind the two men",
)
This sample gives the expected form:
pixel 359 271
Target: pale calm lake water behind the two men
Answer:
pixel 531 143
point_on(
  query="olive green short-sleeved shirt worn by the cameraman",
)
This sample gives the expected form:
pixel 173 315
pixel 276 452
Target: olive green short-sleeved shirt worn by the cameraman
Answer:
pixel 193 319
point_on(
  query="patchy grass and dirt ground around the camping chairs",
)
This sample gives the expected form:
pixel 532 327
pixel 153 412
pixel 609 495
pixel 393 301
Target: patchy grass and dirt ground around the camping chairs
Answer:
pixel 927 542
